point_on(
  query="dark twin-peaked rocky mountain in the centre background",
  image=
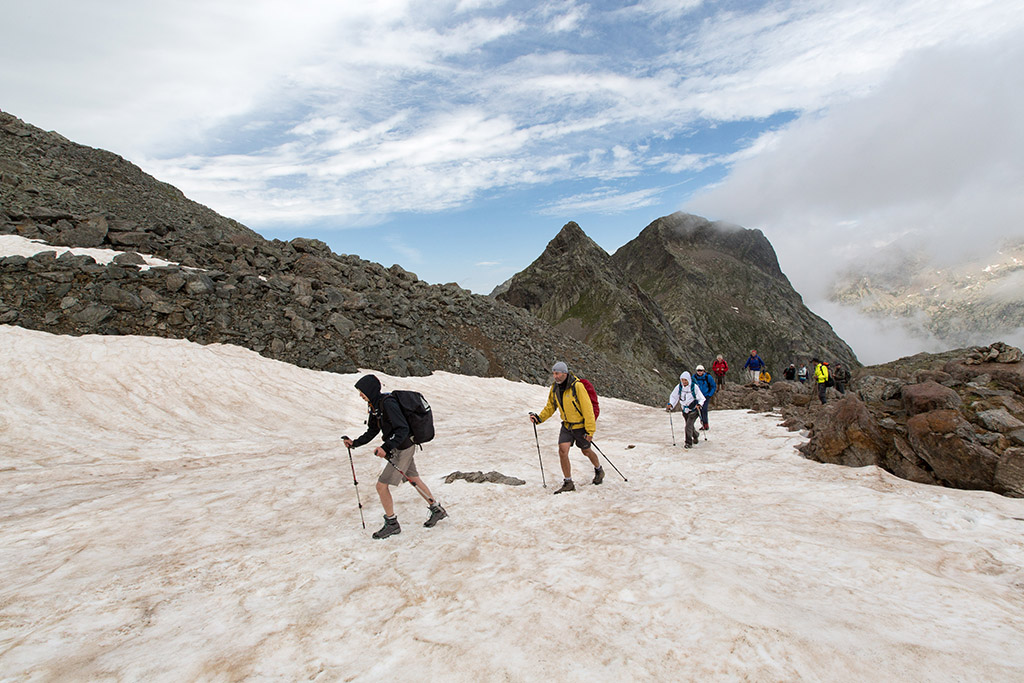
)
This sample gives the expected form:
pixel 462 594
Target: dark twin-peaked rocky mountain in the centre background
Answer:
pixel 680 293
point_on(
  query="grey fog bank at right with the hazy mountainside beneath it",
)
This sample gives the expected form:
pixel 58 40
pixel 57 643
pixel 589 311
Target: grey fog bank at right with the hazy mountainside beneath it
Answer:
pixel 886 211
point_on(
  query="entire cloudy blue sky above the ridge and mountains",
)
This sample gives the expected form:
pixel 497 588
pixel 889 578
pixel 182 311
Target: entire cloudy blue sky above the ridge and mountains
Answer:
pixel 457 137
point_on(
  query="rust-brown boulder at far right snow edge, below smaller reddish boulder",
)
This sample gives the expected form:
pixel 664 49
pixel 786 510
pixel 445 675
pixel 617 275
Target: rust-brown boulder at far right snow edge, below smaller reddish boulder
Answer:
pixel 946 442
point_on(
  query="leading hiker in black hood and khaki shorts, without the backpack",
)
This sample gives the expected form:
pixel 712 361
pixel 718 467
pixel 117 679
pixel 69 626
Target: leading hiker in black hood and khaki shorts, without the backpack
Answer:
pixel 398 450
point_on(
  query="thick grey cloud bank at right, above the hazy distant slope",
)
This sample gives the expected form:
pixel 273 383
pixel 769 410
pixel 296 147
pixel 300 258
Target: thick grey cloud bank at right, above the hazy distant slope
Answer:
pixel 928 163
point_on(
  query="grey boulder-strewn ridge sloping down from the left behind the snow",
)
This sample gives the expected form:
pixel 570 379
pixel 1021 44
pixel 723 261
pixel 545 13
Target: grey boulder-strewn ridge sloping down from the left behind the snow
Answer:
pixel 295 302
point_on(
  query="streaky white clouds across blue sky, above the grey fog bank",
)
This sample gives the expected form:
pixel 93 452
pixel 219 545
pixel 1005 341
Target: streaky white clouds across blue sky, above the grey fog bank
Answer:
pixel 351 112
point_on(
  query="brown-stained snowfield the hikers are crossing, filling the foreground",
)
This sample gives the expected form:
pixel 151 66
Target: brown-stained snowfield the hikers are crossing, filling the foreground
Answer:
pixel 176 513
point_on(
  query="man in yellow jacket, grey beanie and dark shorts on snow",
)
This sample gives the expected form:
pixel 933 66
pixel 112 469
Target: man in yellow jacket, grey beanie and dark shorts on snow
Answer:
pixel 571 398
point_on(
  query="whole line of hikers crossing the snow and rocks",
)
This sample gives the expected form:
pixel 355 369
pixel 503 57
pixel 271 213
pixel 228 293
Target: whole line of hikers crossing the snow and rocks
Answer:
pixel 405 422
